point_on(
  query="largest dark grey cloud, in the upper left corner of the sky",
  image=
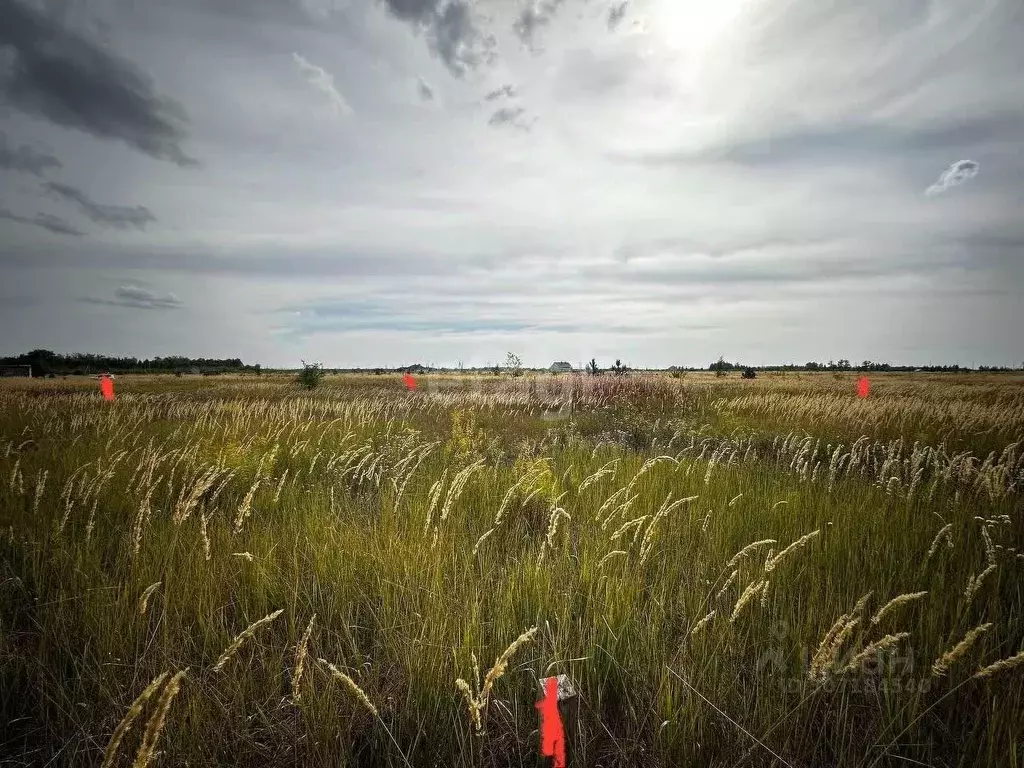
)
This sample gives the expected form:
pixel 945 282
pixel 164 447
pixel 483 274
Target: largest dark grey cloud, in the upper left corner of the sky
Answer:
pixel 58 74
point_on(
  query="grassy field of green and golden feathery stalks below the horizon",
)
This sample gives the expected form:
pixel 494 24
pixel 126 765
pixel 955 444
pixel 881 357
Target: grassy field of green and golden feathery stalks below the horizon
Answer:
pixel 731 573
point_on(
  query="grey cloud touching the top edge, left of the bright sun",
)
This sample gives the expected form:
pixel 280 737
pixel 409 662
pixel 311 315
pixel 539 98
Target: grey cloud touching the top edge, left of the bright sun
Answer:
pixel 452 31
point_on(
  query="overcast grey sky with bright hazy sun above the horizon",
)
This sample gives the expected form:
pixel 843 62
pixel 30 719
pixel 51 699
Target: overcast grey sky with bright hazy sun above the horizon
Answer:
pixel 382 183
